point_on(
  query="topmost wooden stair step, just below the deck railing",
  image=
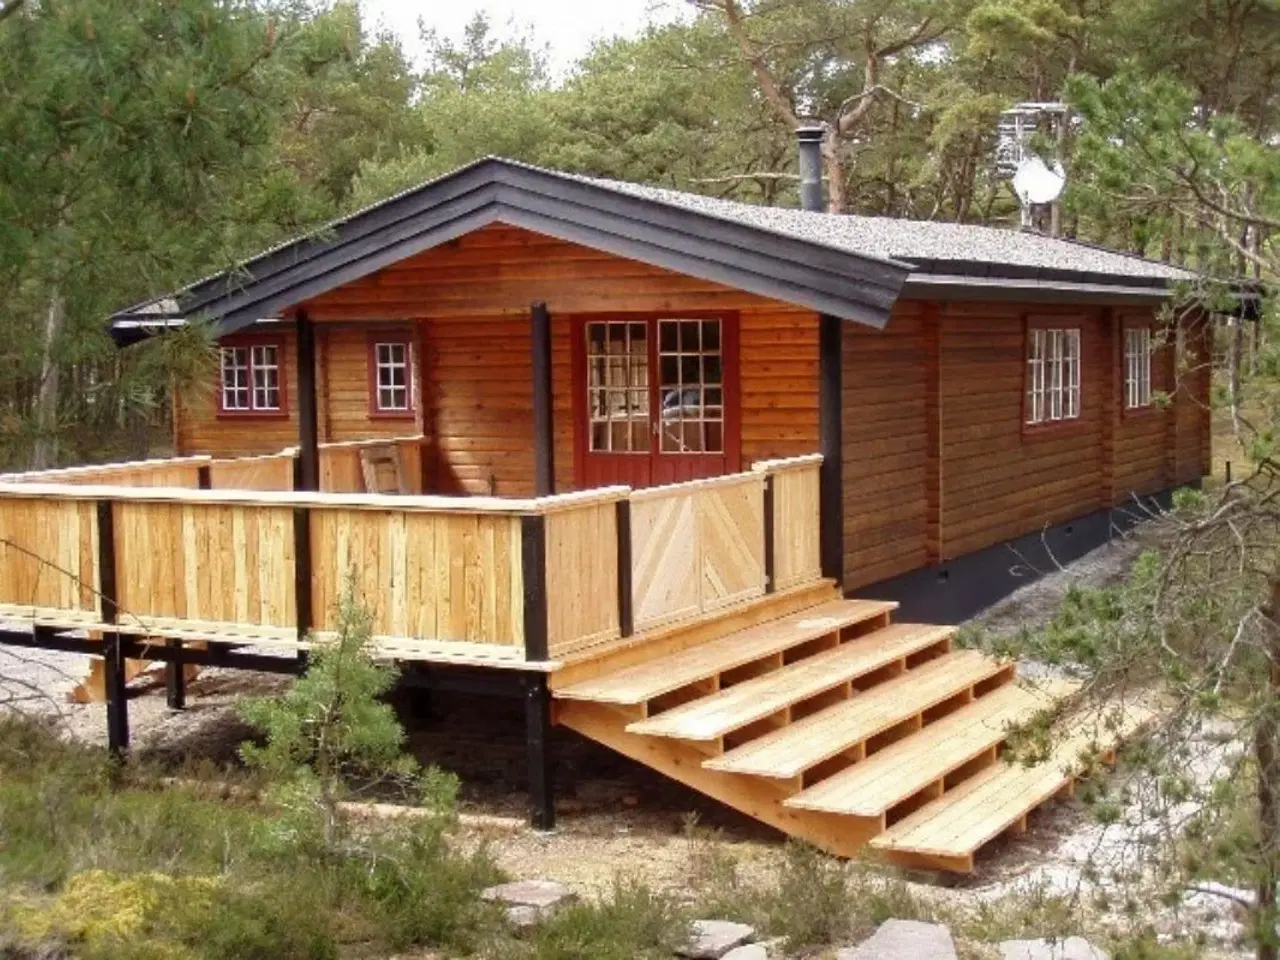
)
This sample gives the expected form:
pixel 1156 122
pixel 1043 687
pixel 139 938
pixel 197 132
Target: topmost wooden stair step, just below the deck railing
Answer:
pixel 646 682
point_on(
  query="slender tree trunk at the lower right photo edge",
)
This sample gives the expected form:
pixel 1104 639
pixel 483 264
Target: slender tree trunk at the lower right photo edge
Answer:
pixel 1267 751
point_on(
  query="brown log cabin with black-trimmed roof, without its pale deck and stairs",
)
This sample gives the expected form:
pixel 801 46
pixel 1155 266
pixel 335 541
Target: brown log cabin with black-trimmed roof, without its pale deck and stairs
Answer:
pixel 989 403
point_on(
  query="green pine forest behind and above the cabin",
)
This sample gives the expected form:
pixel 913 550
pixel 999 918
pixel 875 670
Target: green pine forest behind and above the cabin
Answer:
pixel 145 144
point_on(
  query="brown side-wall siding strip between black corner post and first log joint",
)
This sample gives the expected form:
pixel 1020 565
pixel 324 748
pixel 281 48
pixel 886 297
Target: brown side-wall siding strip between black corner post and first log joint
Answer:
pixel 885 449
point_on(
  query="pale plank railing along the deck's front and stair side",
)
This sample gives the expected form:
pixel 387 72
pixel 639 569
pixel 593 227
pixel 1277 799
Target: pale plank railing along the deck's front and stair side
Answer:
pixel 509 579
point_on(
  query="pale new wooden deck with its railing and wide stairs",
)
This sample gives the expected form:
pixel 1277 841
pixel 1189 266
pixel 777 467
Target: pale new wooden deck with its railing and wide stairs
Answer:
pixel 685 627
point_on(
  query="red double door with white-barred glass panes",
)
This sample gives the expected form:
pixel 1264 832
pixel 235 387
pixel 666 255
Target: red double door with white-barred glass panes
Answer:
pixel 656 399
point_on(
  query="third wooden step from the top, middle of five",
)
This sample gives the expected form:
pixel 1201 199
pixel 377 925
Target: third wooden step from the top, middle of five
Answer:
pixel 794 749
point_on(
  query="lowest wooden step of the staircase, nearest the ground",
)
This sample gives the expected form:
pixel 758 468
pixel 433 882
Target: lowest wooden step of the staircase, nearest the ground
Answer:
pixel 945 834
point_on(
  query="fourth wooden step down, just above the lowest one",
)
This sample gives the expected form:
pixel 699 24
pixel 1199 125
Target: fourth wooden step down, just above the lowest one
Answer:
pixel 911 766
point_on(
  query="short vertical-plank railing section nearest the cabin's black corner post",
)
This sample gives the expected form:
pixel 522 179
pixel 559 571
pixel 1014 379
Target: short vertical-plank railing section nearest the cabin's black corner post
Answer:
pixel 793 496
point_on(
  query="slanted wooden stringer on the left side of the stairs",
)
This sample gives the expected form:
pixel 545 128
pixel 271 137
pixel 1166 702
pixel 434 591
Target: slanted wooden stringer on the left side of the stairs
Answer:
pixel 758 798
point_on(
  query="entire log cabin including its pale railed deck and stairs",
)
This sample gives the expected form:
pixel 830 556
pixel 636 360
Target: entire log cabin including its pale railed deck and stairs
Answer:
pixel 680 467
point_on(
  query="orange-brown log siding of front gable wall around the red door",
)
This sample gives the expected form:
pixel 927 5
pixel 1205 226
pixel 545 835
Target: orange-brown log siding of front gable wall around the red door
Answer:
pixel 473 298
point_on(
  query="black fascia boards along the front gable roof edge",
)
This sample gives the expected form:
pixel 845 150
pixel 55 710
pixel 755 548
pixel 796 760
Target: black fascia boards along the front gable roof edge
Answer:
pixel 852 286
